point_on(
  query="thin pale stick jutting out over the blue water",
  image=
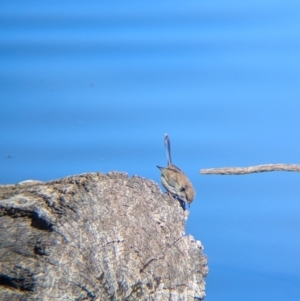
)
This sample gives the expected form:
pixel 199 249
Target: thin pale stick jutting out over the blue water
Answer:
pixel 250 169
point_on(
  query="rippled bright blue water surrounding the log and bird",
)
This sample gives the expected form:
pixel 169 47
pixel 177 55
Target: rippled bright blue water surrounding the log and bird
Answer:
pixel 94 86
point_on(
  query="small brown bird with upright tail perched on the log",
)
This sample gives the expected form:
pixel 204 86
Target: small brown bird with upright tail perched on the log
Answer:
pixel 174 179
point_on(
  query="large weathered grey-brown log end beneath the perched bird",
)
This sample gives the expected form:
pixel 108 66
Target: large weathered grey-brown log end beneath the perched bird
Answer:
pixel 96 237
